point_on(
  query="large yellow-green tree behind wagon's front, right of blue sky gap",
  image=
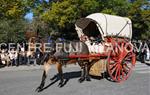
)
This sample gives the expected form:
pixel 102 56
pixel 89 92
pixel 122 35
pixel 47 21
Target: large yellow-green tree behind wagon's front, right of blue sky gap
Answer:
pixel 62 15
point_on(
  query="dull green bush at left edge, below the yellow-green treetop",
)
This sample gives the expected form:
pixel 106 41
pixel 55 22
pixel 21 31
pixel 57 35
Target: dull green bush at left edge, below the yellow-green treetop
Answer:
pixel 12 30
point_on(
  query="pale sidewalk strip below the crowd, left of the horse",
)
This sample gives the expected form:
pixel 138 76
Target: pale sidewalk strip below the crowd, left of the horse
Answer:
pixel 22 67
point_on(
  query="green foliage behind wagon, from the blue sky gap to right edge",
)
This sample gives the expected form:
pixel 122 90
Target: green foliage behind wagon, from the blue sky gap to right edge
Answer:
pixel 60 15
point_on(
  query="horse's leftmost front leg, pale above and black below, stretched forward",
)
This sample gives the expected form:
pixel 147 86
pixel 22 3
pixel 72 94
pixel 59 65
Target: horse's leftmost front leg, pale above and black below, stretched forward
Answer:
pixel 45 72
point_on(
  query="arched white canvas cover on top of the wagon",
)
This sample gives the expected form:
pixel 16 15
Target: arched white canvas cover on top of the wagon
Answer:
pixel 107 25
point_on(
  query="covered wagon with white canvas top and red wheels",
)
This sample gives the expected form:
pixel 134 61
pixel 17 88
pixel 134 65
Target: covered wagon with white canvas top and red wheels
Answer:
pixel 108 38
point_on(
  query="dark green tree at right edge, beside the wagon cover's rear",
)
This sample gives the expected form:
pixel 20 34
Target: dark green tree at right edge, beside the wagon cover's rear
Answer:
pixel 141 19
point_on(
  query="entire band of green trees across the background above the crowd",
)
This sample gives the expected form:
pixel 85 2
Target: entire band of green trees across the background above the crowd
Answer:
pixel 59 16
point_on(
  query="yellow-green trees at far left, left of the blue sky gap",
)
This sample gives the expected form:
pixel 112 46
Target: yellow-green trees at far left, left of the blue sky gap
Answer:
pixel 12 22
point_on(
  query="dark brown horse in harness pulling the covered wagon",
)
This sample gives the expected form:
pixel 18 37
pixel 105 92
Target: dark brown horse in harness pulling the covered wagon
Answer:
pixel 60 57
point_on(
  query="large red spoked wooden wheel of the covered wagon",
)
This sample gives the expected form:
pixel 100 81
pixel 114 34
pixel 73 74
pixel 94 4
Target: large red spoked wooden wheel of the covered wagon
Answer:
pixel 119 67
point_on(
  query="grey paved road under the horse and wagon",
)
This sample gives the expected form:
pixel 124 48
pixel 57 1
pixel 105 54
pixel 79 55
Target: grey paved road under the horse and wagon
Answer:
pixel 24 82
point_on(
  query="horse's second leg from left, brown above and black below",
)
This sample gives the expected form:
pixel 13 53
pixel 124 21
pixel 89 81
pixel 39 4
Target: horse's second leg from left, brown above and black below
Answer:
pixel 60 72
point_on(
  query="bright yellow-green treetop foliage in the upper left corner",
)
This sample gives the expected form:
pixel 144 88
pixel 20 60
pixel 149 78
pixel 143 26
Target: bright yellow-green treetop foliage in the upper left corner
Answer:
pixel 13 9
